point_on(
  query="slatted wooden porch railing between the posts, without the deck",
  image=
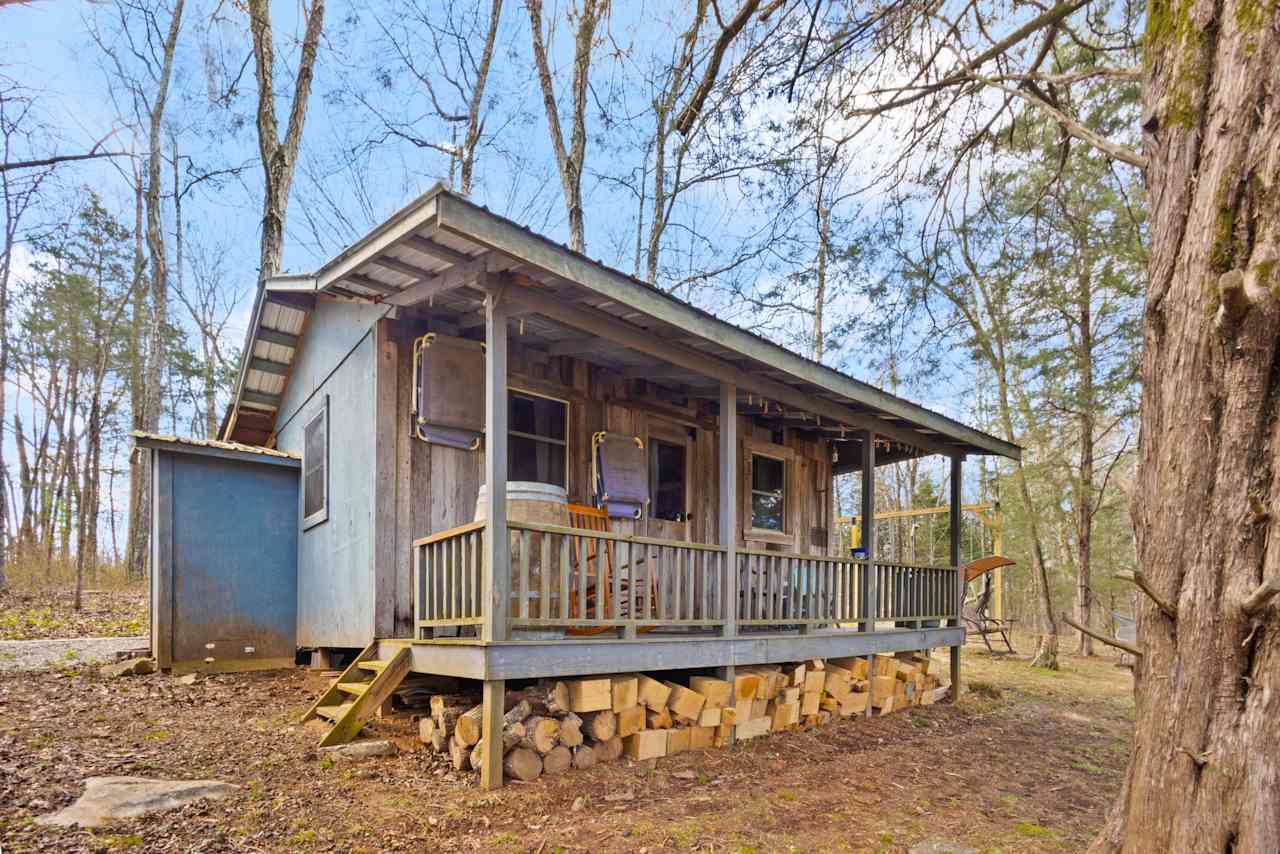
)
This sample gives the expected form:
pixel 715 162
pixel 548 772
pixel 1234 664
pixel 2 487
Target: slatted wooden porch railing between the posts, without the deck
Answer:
pixel 588 582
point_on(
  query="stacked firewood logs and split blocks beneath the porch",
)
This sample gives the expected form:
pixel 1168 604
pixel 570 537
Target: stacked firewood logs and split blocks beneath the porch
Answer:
pixel 556 725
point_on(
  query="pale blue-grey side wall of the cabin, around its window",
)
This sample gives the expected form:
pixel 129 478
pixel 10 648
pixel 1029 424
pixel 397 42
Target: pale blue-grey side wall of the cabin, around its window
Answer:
pixel 337 573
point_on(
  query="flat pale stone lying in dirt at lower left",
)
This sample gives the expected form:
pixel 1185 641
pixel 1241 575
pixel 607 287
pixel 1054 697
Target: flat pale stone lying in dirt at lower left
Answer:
pixel 107 800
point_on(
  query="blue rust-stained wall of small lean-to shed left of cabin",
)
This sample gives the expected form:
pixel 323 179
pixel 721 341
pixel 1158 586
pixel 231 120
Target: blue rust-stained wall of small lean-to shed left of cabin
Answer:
pixel 227 554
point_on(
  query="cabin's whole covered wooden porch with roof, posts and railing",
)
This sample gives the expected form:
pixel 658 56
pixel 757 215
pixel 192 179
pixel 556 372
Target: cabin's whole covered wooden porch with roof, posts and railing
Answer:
pixel 744 567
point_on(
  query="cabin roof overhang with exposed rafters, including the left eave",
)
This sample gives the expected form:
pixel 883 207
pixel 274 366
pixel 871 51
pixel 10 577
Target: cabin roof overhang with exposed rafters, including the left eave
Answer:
pixel 444 255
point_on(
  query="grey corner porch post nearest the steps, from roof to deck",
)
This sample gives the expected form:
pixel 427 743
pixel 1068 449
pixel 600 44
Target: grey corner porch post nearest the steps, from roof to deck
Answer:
pixel 496 579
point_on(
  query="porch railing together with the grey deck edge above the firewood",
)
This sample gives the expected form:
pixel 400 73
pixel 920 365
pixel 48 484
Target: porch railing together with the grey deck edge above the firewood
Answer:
pixel 661 605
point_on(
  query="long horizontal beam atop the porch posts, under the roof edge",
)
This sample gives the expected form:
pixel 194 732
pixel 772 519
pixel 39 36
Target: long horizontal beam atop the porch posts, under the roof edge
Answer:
pixel 646 342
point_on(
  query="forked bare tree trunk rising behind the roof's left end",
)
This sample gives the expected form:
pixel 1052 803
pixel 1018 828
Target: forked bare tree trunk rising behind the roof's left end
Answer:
pixel 280 157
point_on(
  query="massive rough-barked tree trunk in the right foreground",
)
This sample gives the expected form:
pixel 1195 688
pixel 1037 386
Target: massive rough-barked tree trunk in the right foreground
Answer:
pixel 1205 771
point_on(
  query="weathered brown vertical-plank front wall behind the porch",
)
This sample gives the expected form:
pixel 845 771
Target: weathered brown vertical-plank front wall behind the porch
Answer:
pixel 442 483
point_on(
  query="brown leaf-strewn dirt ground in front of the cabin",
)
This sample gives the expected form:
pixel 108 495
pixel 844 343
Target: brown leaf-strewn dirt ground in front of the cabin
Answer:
pixel 1027 762
